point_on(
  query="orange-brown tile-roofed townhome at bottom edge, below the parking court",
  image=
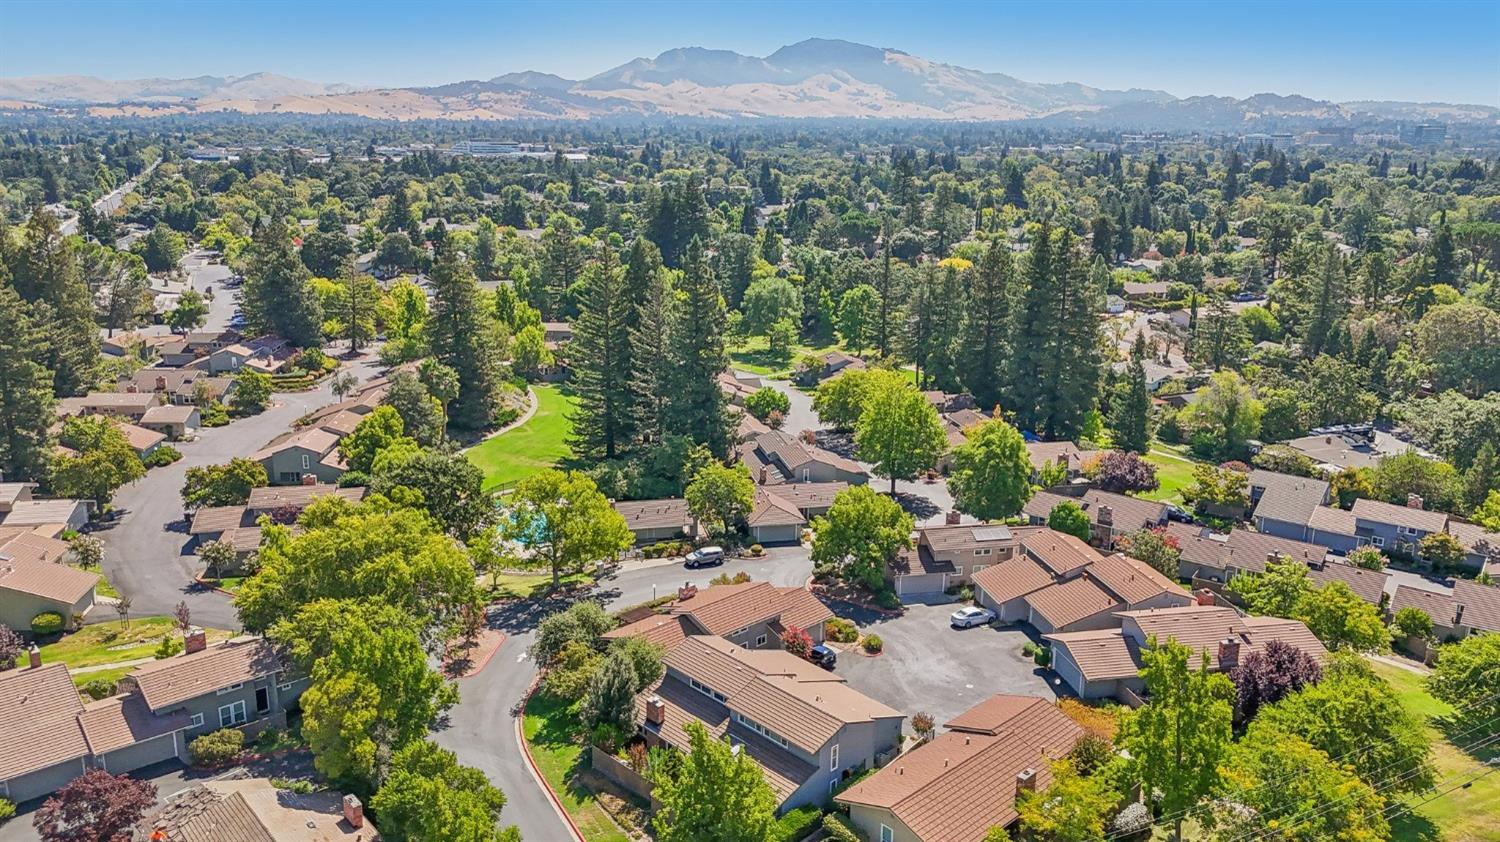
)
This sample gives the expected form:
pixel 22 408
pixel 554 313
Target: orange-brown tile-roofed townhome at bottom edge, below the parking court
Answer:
pixel 965 781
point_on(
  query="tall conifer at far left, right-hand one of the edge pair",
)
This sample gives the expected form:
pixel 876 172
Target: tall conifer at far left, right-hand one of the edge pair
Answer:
pixel 46 275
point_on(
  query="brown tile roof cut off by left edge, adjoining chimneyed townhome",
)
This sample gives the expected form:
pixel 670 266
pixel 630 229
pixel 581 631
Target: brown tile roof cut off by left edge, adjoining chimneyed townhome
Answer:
pixel 40 727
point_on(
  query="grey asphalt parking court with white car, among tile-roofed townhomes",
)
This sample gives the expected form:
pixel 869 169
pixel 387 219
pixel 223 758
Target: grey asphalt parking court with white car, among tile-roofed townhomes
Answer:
pixel 929 667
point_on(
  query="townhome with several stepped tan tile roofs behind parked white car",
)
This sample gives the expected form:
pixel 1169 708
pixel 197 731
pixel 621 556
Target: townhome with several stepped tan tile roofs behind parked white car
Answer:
pixel 1063 585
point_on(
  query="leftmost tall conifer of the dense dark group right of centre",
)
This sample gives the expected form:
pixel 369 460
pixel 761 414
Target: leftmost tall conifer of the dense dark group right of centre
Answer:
pixel 983 335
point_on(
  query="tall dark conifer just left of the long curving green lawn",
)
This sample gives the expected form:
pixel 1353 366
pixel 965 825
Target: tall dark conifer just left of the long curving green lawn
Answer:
pixel 463 338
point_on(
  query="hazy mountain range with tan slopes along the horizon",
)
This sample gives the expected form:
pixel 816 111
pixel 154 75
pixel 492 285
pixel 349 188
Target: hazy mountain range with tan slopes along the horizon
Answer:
pixel 811 79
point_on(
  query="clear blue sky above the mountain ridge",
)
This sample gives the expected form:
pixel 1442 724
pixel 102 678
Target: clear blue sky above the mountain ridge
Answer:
pixel 1441 50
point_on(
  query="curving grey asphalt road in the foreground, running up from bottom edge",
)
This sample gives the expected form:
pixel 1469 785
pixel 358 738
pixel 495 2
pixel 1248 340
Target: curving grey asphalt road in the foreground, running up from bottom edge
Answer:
pixel 481 729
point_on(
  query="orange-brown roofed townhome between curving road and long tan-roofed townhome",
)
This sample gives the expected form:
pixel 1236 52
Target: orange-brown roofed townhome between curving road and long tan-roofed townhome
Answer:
pixel 751 616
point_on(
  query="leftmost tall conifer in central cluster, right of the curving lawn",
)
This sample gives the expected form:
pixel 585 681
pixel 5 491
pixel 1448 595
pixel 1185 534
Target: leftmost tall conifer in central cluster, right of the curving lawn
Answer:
pixel 601 358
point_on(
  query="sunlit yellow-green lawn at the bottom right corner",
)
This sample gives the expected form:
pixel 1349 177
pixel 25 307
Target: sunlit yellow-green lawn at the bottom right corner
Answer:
pixel 1463 816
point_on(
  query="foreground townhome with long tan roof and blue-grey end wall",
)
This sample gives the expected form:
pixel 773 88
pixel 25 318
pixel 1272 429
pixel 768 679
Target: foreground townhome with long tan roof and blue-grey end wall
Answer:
pixel 805 727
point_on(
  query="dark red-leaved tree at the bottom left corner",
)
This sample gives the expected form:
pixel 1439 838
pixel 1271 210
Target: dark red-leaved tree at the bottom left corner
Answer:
pixel 95 807
